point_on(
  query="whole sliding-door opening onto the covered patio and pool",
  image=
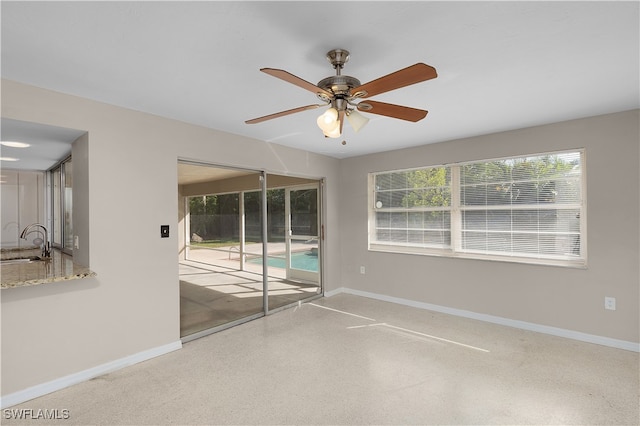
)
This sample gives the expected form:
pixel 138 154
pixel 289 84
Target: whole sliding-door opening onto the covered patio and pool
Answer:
pixel 249 244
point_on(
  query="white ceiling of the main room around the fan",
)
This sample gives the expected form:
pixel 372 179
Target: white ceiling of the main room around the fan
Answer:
pixel 501 65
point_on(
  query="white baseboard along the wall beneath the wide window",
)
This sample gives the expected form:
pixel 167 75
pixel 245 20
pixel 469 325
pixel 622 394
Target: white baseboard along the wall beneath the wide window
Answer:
pixel 555 331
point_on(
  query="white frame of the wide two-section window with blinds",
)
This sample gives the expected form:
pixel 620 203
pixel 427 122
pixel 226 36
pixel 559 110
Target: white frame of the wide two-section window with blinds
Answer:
pixel 454 250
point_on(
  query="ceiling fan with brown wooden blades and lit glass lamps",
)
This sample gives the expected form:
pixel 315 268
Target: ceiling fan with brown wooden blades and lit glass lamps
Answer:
pixel 341 92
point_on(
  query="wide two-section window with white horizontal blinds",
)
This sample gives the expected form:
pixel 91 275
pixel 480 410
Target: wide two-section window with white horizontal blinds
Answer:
pixel 520 209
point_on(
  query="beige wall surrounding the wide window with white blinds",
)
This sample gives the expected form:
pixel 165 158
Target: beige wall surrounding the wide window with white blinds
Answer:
pixel 571 299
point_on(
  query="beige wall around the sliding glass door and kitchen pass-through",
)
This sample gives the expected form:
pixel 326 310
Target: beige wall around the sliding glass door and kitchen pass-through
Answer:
pixel 130 189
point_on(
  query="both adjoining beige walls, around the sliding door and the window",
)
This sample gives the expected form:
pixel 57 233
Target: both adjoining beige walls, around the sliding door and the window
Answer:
pixel 130 189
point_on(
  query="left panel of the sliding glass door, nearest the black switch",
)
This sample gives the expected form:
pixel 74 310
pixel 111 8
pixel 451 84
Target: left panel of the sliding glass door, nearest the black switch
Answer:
pixel 222 230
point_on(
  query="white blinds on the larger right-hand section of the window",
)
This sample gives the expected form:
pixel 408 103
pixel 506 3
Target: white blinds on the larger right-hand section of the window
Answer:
pixel 527 206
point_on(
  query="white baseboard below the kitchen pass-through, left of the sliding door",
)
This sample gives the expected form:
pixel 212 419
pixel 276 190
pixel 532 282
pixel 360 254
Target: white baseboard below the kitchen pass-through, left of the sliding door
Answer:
pixel 82 376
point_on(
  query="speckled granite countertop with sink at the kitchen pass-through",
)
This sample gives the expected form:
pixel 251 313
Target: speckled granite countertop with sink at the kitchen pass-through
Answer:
pixel 59 267
